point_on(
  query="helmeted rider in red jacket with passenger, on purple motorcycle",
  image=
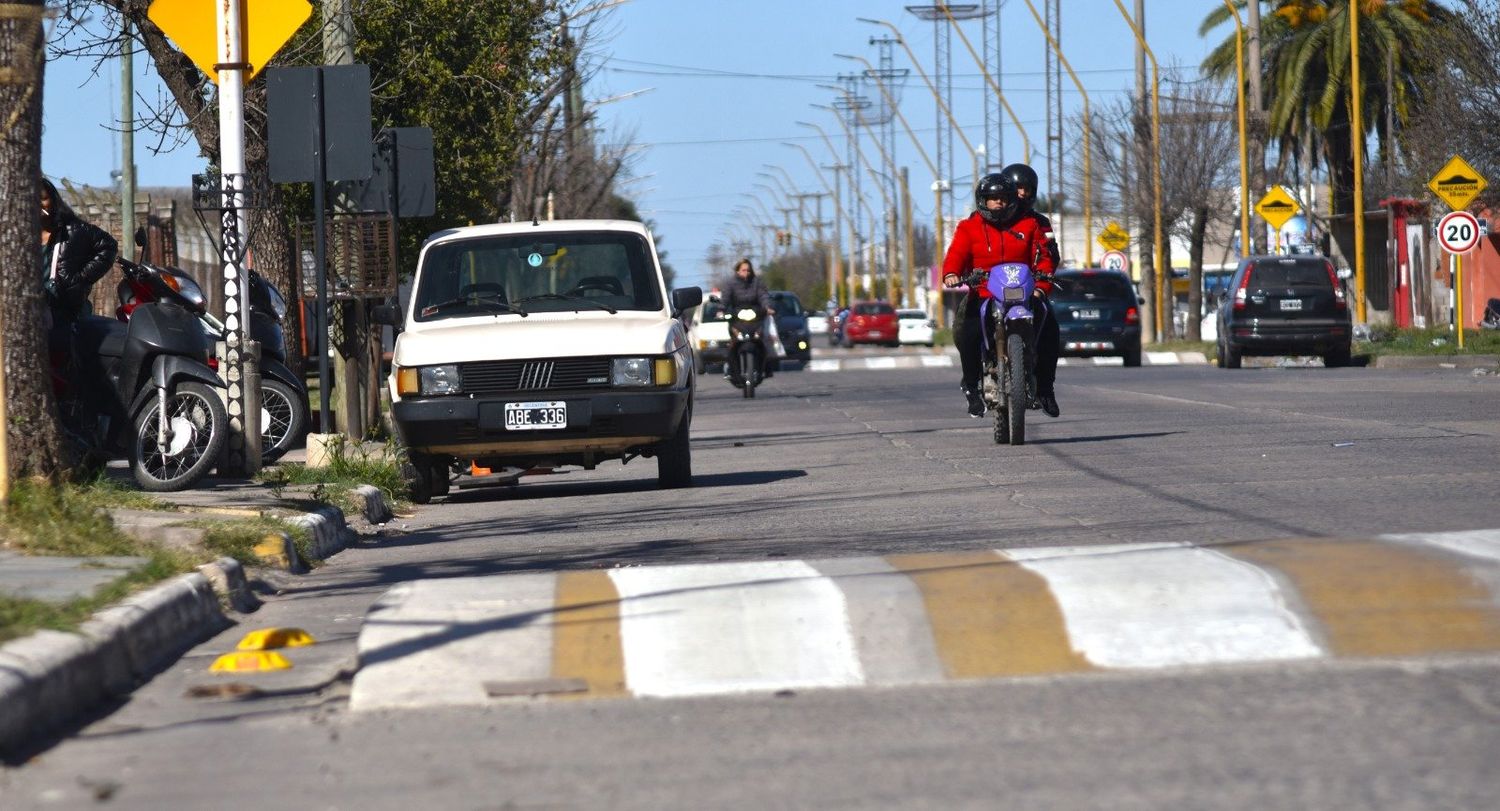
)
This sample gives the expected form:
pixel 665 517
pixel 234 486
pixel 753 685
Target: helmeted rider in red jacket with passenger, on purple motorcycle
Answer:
pixel 1006 230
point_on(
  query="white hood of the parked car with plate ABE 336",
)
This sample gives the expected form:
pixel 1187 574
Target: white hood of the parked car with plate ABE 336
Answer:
pixel 539 337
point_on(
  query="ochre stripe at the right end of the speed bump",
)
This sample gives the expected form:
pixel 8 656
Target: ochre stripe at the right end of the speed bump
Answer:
pixel 1384 600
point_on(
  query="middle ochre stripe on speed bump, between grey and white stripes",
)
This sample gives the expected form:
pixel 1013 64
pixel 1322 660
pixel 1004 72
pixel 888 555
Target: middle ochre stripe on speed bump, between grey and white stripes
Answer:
pixel 991 617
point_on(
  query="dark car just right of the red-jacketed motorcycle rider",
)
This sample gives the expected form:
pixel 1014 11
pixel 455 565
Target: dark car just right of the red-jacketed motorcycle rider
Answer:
pixel 1099 314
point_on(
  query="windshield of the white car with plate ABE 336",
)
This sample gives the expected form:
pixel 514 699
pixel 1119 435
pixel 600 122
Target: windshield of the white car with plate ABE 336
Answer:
pixel 587 271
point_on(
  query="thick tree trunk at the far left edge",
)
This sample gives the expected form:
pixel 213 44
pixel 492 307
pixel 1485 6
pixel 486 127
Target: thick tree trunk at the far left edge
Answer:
pixel 34 432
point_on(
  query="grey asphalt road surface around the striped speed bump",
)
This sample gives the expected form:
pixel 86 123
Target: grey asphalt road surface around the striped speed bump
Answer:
pixel 853 465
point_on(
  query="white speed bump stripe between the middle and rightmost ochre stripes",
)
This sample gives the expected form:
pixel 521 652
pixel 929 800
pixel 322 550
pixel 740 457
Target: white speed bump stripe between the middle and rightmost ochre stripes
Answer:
pixel 1166 605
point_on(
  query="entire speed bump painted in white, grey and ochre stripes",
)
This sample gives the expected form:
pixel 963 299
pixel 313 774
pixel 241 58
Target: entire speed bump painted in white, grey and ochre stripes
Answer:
pixel 925 618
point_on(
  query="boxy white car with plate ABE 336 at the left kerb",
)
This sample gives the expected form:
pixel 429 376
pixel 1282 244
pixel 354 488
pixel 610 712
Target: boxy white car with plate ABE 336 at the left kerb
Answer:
pixel 541 346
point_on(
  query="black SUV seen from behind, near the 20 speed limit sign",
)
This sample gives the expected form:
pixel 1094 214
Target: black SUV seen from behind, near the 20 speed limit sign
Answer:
pixel 1285 307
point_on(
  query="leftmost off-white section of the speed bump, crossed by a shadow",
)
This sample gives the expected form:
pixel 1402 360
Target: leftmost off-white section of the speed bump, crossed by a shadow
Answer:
pixel 439 642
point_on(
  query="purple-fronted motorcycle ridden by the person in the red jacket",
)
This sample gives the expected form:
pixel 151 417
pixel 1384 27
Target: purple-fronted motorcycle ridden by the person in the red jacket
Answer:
pixel 1010 382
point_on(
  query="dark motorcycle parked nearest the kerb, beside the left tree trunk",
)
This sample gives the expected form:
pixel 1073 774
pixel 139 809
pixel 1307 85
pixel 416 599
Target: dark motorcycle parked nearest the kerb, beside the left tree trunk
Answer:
pixel 143 391
